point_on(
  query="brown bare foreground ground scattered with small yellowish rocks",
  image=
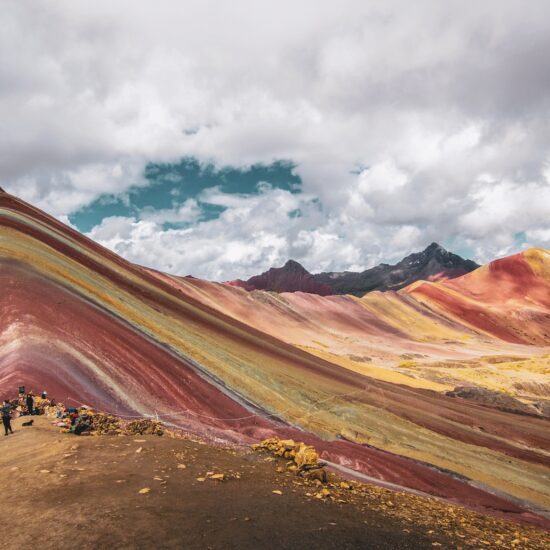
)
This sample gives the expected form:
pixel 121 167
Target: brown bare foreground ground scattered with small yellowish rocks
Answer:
pixel 63 491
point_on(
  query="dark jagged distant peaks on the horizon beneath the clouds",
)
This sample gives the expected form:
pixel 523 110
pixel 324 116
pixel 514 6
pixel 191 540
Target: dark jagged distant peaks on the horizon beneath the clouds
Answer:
pixel 432 264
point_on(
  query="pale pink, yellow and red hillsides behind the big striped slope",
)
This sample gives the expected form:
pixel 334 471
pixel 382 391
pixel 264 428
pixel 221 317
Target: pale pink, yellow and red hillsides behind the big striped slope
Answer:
pixel 409 337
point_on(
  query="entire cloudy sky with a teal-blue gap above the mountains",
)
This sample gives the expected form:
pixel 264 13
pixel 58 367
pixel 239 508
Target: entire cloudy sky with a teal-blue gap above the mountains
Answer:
pixel 222 138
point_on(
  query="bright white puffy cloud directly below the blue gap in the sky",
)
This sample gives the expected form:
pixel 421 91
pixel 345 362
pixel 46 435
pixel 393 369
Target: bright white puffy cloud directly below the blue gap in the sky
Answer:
pixel 252 234
